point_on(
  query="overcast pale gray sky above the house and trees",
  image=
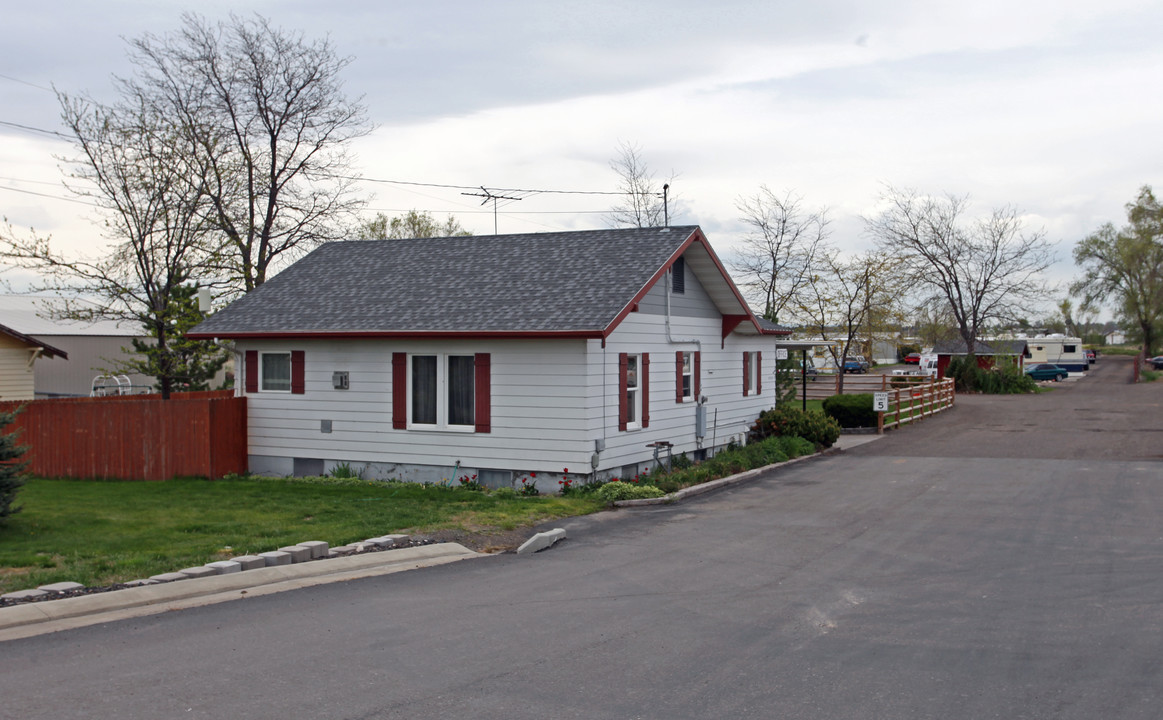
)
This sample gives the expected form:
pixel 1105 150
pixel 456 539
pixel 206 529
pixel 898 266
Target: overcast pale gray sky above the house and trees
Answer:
pixel 1053 108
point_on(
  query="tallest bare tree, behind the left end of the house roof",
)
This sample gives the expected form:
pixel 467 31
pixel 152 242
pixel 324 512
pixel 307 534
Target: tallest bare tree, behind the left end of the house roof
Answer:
pixel 262 115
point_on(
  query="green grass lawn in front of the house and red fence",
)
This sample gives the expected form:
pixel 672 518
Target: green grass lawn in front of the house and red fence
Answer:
pixel 99 533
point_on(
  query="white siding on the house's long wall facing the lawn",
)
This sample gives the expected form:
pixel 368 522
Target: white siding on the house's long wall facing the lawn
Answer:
pixel 539 407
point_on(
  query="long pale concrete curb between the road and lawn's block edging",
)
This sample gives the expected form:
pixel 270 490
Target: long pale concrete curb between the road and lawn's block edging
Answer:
pixel 37 618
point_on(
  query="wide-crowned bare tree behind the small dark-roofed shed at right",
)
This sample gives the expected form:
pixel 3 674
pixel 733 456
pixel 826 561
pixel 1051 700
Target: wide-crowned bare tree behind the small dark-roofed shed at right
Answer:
pixel 984 272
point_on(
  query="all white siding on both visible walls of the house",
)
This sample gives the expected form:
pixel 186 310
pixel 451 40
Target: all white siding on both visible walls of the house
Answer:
pixel 553 401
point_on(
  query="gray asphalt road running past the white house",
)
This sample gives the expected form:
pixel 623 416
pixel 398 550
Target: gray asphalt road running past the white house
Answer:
pixel 952 571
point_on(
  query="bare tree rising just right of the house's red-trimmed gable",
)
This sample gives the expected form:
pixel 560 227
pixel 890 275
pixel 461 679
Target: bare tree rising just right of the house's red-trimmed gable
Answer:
pixel 777 255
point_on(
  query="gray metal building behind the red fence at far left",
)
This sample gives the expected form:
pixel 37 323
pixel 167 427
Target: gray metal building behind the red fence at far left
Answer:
pixel 94 348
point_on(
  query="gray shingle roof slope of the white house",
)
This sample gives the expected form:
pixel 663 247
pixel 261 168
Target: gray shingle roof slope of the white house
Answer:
pixel 533 283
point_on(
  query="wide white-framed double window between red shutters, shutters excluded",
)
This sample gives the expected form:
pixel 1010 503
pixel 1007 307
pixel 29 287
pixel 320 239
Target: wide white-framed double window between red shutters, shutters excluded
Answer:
pixel 443 391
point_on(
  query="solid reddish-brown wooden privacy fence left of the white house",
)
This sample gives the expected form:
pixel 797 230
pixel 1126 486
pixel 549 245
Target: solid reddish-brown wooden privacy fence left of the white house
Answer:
pixel 134 438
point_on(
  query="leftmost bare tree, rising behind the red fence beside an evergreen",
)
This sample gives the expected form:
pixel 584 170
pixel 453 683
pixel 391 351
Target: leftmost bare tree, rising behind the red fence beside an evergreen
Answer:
pixel 153 206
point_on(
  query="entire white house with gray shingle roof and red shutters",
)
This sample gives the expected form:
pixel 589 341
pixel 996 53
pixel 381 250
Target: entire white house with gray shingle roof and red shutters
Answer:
pixel 498 357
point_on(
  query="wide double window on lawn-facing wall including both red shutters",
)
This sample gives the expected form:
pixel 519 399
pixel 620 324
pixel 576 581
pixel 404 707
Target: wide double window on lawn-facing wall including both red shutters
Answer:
pixel 441 391
